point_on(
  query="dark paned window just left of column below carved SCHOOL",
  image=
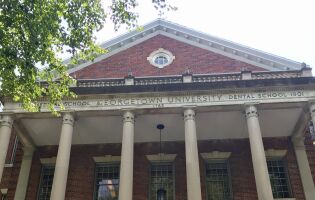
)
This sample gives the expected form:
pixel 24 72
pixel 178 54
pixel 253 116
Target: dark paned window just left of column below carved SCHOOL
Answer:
pixel 46 180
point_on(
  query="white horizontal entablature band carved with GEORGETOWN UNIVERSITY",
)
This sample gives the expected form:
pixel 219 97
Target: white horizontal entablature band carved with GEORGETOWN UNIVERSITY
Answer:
pixel 212 98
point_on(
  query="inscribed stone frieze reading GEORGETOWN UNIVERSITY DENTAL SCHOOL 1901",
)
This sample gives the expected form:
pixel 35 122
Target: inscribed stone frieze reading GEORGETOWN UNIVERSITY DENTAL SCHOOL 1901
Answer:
pixel 112 102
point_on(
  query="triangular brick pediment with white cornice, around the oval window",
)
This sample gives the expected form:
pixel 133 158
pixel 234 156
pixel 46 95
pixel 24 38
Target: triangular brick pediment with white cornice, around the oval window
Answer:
pixel 194 51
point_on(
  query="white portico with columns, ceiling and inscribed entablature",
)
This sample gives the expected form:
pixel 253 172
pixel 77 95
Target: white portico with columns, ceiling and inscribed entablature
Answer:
pixel 188 117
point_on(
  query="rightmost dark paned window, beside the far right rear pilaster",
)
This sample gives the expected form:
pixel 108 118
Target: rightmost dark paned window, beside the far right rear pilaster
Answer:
pixel 279 179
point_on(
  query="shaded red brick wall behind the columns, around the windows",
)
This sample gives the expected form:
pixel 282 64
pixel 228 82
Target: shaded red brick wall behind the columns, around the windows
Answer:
pixel 80 184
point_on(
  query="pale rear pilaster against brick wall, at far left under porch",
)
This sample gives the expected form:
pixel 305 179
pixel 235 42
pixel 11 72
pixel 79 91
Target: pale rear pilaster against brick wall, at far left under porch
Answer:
pixel 26 164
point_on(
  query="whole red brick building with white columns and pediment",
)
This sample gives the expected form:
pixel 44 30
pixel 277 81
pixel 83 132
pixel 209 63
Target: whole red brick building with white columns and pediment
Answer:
pixel 236 125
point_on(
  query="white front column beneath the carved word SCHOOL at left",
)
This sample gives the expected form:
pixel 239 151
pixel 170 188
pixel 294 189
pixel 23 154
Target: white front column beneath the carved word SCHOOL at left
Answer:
pixel 58 190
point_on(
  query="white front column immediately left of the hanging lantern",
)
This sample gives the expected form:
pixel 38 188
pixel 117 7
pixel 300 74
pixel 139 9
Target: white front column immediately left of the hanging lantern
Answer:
pixel 126 164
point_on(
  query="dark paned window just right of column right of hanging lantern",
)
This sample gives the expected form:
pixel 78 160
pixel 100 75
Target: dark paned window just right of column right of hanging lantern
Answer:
pixel 218 180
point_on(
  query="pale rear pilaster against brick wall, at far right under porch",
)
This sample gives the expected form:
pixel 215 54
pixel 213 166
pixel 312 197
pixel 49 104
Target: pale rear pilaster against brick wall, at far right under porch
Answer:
pixel 304 168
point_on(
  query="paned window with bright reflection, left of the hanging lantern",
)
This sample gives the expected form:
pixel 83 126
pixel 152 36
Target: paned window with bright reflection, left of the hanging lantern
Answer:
pixel 106 181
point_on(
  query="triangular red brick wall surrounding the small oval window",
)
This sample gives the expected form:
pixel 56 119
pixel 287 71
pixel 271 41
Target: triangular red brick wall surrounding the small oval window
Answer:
pixel 187 57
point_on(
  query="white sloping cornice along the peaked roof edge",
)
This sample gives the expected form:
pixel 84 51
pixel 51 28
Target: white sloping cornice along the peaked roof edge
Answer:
pixel 196 38
